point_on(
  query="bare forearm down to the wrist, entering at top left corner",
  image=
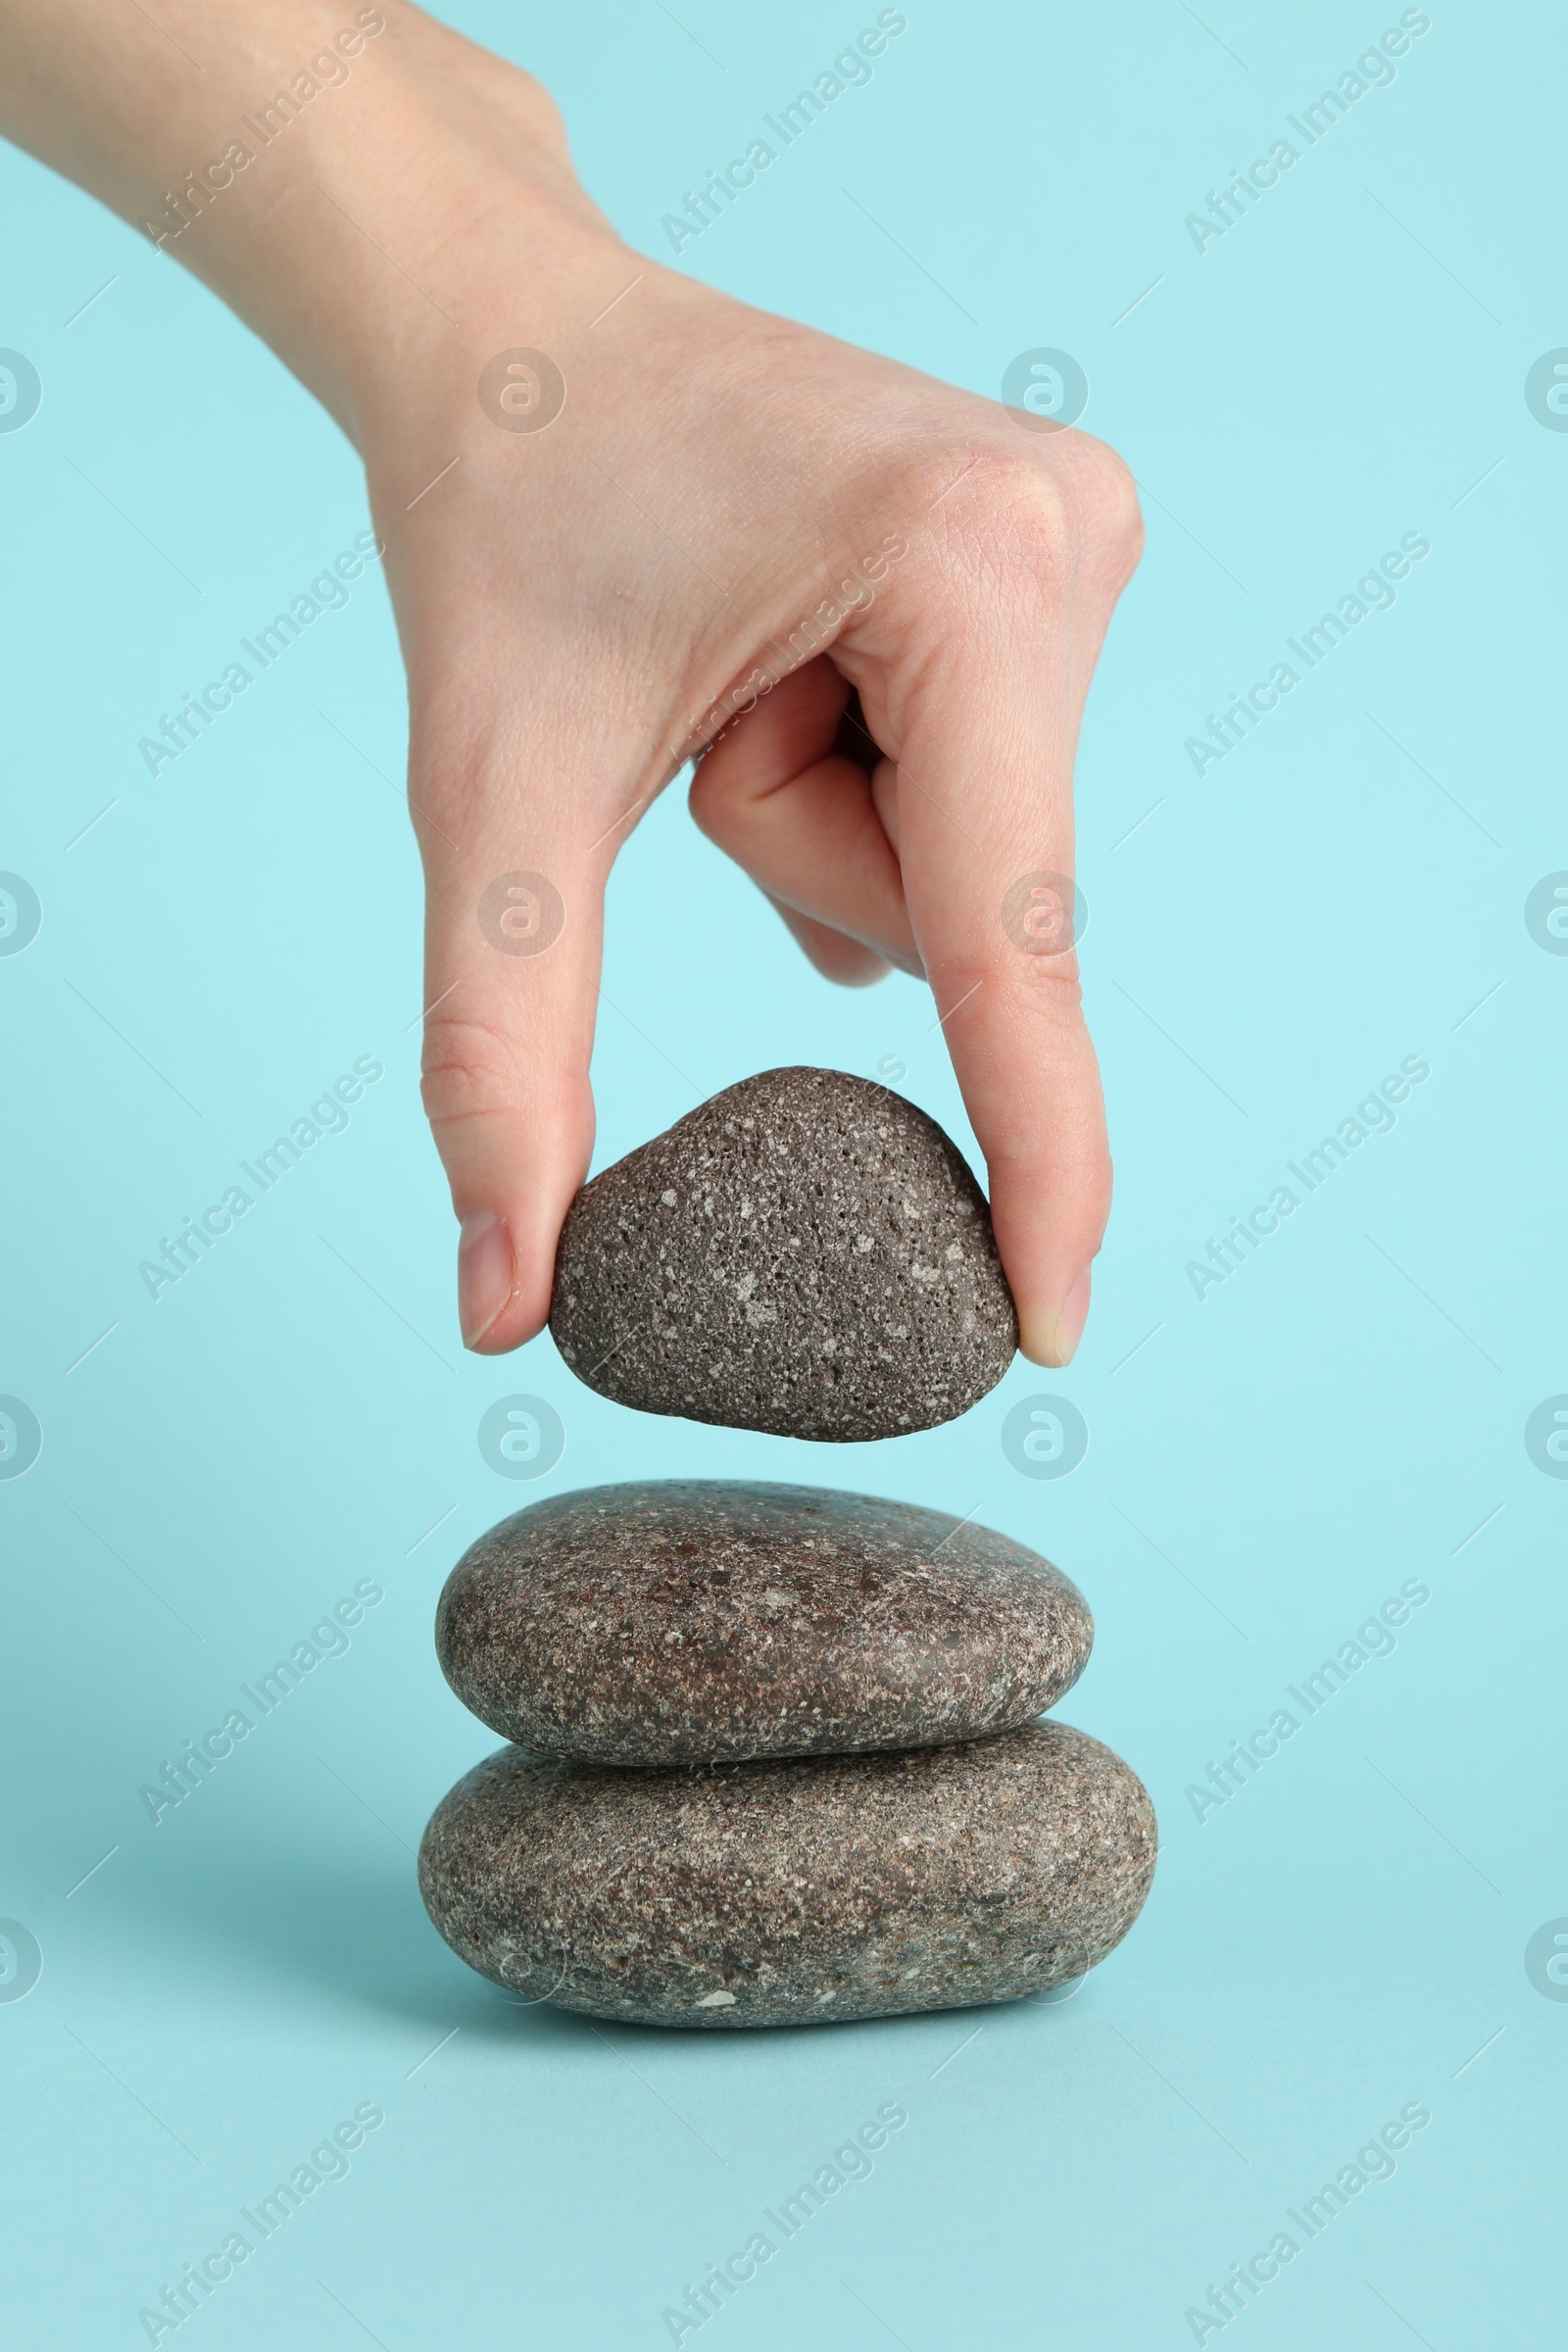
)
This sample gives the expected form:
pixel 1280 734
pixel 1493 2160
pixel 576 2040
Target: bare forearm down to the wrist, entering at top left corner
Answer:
pixel 321 166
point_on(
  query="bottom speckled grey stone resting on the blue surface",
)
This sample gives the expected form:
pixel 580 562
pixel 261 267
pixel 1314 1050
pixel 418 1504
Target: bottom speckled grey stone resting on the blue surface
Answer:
pixel 793 1892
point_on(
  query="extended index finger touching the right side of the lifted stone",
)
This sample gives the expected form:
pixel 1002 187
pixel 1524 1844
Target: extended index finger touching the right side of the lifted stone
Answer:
pixel 986 742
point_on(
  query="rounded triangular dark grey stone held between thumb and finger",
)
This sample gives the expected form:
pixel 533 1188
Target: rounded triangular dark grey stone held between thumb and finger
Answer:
pixel 805 1255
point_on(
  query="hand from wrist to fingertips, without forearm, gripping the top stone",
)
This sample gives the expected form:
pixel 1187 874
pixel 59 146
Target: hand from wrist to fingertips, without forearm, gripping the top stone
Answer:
pixel 730 528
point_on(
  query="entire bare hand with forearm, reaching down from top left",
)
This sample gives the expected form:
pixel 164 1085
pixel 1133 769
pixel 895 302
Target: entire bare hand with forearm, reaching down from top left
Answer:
pixel 584 606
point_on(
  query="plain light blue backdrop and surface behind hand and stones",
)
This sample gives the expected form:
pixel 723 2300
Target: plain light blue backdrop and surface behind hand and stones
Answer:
pixel 1348 1932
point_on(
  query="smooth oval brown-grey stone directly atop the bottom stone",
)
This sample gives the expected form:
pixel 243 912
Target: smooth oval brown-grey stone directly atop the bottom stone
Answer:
pixel 704 1619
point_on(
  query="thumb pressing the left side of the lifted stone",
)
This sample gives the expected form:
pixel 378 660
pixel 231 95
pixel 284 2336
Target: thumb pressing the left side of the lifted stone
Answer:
pixel 514 940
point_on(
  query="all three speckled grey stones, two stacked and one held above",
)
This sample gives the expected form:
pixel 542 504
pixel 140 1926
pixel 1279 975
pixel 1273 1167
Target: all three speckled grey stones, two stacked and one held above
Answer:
pixel 777 1749
